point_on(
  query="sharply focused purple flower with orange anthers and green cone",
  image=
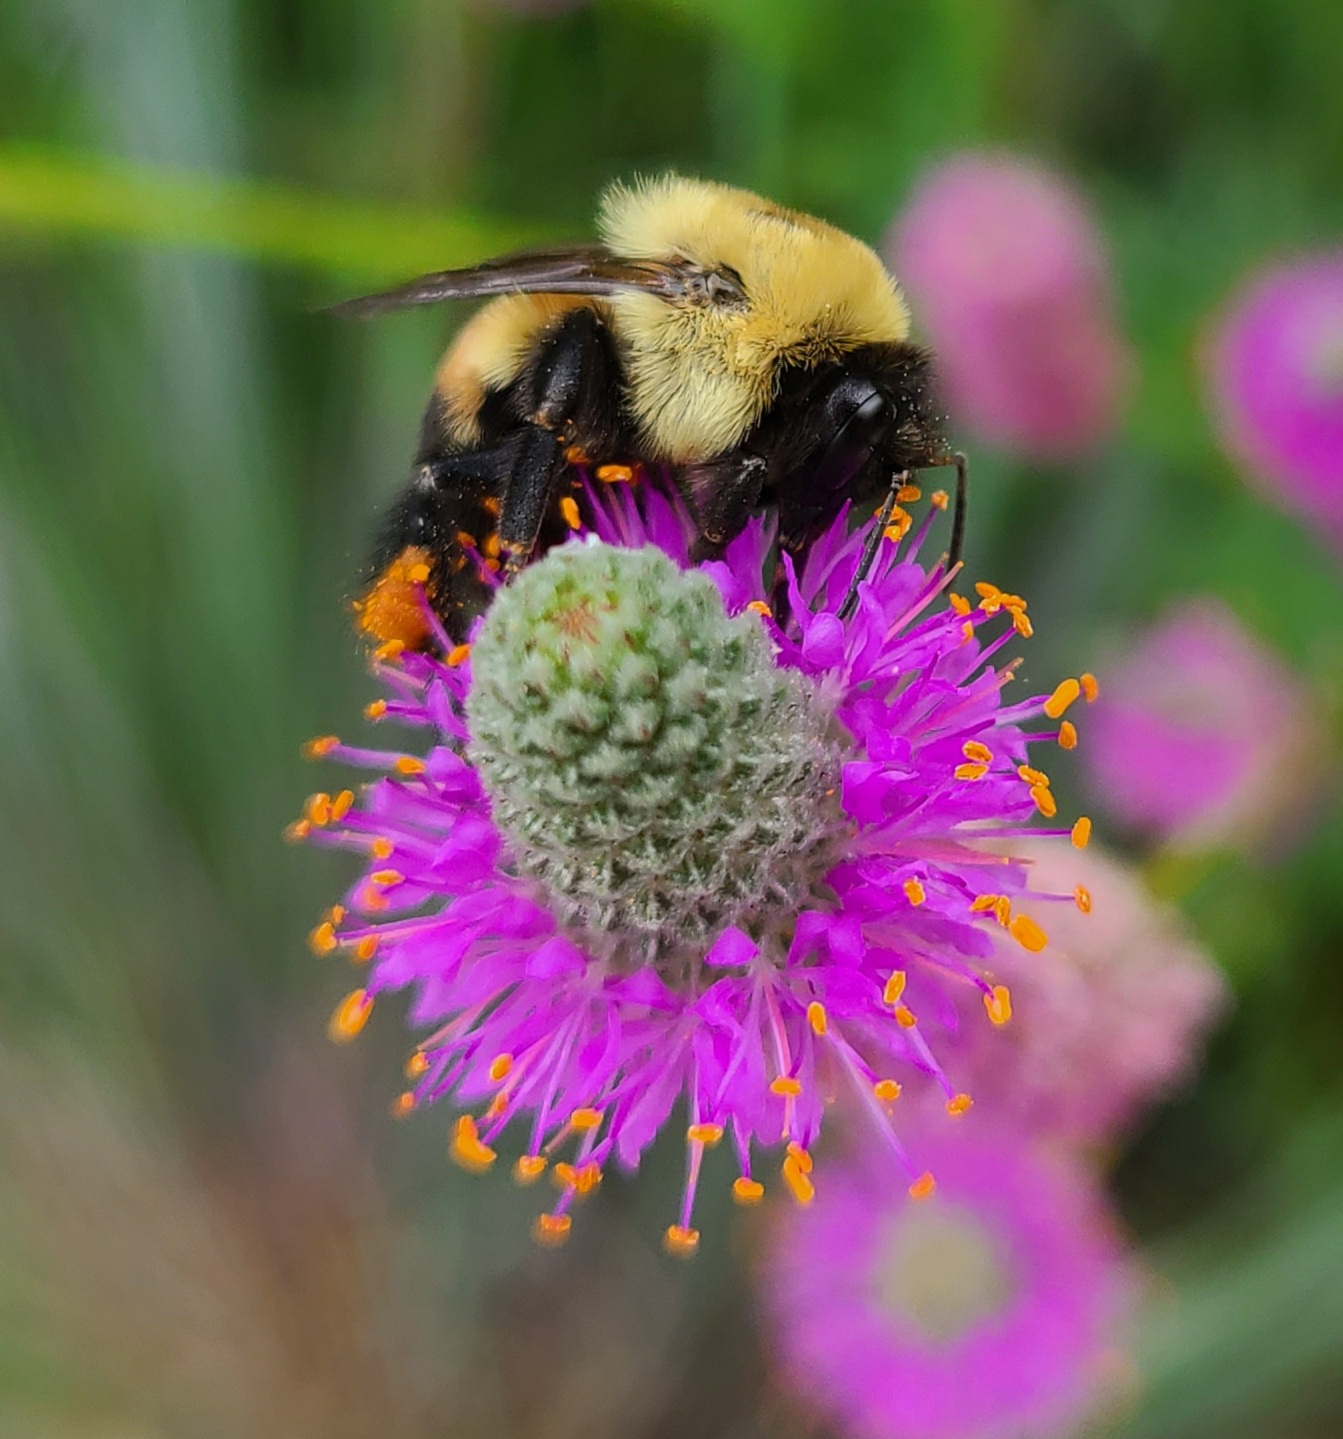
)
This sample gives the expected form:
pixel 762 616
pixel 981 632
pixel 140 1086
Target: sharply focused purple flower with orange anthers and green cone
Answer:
pixel 677 834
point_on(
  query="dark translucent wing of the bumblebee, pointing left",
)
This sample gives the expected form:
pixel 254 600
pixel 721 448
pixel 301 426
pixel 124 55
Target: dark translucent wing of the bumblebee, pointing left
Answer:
pixel 587 270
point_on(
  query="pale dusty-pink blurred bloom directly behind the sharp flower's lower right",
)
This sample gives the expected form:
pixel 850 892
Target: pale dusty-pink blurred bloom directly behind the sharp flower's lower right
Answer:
pixel 1108 1020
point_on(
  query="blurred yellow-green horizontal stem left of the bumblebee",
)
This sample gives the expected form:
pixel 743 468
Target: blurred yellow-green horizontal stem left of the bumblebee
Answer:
pixel 63 194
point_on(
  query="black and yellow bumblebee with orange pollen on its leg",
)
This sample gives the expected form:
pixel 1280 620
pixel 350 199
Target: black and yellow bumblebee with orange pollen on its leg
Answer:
pixel 743 355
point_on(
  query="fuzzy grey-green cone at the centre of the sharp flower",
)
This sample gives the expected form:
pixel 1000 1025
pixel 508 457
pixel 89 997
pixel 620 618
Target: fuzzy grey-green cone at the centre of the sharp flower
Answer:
pixel 654 771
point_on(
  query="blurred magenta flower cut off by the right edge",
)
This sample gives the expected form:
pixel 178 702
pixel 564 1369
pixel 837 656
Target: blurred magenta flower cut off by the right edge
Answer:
pixel 1276 379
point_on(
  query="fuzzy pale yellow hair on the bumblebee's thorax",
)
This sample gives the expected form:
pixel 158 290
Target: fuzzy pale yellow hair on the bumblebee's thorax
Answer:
pixel 700 376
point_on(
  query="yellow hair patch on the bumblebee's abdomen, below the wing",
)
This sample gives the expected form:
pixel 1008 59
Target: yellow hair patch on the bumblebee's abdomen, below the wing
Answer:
pixel 490 353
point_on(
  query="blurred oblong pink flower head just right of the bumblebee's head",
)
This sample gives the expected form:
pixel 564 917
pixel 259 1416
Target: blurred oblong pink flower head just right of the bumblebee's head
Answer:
pixel 1010 283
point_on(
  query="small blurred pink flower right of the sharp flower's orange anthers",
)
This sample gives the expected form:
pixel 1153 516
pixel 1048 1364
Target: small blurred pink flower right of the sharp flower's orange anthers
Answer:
pixel 1204 737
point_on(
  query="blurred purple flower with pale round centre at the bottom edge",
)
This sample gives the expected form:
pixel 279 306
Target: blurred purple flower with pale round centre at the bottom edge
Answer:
pixel 990 1313
